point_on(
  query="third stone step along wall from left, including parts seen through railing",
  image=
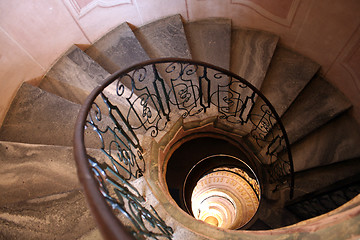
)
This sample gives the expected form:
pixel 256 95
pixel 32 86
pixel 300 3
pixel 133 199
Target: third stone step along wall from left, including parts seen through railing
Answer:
pixel 118 50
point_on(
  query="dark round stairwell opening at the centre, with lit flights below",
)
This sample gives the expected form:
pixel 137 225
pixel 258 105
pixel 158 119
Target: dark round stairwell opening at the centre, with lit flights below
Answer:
pixel 215 181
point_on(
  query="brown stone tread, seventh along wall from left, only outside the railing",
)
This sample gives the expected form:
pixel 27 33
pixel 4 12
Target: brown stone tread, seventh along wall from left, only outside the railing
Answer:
pixel 288 74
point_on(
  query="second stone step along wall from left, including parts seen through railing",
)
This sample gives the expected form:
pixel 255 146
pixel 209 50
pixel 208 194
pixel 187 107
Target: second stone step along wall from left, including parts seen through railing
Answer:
pixel 74 77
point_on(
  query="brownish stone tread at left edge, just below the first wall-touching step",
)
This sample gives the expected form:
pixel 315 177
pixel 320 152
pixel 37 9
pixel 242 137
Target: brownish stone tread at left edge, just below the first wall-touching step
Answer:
pixel 31 171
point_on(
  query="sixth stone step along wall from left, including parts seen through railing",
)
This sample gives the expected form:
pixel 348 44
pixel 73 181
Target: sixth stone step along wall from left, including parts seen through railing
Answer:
pixel 251 53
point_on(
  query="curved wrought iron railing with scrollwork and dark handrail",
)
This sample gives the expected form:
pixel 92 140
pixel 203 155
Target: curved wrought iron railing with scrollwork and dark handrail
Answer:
pixel 143 100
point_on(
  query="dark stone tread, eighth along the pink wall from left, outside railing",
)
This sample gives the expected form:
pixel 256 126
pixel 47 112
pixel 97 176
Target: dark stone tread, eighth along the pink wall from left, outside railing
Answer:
pixel 317 104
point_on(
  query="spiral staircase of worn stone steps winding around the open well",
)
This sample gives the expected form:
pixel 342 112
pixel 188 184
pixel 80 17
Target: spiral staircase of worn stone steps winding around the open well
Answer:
pixel 41 197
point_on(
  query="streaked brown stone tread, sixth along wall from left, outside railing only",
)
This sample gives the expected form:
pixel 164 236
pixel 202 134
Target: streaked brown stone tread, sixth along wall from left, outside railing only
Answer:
pixel 251 53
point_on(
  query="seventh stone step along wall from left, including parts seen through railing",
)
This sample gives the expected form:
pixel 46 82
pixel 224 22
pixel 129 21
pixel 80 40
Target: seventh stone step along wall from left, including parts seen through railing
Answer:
pixel 288 74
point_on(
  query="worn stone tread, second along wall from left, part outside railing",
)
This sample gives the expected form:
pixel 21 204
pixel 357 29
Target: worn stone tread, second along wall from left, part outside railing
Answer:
pixel 73 76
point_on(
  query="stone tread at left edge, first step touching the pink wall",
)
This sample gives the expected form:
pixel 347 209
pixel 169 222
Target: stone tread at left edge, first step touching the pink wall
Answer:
pixel 36 116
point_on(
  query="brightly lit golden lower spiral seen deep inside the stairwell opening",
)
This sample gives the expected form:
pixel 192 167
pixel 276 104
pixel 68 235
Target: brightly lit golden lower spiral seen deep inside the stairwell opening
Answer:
pixel 225 199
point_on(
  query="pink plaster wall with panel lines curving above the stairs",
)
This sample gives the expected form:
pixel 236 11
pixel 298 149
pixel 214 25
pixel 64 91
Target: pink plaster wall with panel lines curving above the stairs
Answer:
pixel 33 34
